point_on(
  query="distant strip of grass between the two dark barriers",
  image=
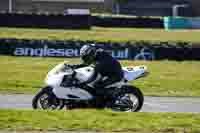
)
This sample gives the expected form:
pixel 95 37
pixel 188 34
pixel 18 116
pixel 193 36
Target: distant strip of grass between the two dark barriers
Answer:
pixel 103 34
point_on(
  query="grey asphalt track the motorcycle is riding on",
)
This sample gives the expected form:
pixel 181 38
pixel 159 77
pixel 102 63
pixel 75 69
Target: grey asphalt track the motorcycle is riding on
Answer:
pixel 151 104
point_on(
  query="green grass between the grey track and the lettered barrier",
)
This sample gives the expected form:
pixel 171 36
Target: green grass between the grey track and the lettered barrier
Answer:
pixel 166 78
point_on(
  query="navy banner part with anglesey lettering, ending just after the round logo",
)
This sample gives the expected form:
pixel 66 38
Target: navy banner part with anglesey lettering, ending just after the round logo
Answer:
pixel 42 48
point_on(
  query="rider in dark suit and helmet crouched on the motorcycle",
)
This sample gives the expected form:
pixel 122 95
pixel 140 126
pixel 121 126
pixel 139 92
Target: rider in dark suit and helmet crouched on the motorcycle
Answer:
pixel 107 69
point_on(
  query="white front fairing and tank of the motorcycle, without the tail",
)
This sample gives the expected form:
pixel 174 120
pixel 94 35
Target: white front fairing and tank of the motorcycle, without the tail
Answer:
pixel 55 80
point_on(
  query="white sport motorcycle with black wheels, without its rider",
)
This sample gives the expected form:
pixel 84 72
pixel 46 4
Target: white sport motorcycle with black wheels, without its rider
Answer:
pixel 68 88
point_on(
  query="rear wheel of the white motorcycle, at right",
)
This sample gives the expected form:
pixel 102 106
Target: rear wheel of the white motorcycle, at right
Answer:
pixel 129 99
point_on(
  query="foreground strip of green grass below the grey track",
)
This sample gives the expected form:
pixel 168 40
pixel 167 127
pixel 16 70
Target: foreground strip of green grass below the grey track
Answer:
pixel 103 120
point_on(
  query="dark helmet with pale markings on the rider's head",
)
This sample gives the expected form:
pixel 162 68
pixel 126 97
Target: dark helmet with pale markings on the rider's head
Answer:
pixel 87 53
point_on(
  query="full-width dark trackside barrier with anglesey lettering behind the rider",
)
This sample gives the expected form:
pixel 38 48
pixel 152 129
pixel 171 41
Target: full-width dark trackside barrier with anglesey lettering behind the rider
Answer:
pixel 69 49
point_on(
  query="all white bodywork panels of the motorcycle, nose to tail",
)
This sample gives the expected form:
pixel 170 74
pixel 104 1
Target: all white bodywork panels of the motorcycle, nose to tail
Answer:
pixel 54 79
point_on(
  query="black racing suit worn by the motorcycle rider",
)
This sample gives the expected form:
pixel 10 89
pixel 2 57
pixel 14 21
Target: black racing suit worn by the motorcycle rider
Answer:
pixel 106 66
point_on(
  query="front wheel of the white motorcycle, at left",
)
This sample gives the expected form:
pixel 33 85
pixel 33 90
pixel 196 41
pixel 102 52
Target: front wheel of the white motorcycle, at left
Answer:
pixel 46 100
